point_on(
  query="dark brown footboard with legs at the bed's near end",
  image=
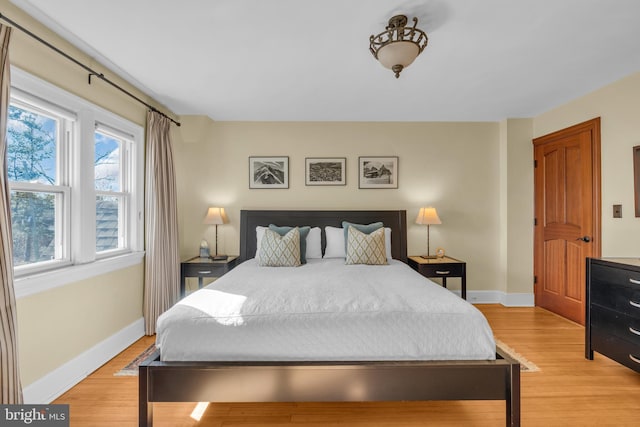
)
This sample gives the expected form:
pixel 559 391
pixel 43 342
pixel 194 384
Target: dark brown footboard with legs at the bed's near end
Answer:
pixel 328 382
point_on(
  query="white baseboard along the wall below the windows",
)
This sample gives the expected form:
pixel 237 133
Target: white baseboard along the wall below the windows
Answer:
pixel 56 382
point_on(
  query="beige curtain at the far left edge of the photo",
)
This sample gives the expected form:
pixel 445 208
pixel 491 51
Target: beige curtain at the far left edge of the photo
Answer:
pixel 11 392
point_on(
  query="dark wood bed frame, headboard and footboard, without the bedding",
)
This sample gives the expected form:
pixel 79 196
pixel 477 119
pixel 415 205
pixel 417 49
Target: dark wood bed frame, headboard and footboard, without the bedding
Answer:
pixel 273 379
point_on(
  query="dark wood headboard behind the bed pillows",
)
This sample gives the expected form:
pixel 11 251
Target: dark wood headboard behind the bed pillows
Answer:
pixel 249 220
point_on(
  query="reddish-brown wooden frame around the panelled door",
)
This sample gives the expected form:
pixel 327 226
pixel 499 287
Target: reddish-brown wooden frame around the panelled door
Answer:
pixel 592 126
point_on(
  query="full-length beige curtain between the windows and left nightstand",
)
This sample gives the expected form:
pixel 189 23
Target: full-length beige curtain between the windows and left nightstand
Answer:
pixel 162 266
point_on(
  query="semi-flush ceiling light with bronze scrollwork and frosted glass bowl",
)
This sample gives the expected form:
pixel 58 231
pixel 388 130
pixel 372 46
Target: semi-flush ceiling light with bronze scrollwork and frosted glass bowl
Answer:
pixel 398 46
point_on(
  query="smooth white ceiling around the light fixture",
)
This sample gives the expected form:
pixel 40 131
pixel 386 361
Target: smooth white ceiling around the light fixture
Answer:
pixel 295 60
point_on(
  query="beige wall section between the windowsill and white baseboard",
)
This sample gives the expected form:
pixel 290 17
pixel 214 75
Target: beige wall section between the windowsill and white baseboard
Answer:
pixel 57 326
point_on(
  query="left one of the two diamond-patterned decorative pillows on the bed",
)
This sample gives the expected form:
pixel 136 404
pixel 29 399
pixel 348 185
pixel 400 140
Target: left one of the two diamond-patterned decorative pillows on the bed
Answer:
pixel 280 251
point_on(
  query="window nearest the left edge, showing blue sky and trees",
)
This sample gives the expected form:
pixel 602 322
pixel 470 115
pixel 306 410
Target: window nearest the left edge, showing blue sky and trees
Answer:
pixel 39 196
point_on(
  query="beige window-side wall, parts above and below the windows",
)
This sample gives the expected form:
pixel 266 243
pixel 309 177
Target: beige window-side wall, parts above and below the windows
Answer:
pixel 58 325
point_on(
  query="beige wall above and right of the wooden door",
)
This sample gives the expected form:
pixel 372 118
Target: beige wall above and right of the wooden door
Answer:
pixel 618 105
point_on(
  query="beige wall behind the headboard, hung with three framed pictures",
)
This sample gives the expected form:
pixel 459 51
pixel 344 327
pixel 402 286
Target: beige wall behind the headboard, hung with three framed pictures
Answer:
pixel 452 166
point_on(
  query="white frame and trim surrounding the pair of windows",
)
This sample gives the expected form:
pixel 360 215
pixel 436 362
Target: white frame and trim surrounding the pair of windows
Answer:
pixel 82 260
